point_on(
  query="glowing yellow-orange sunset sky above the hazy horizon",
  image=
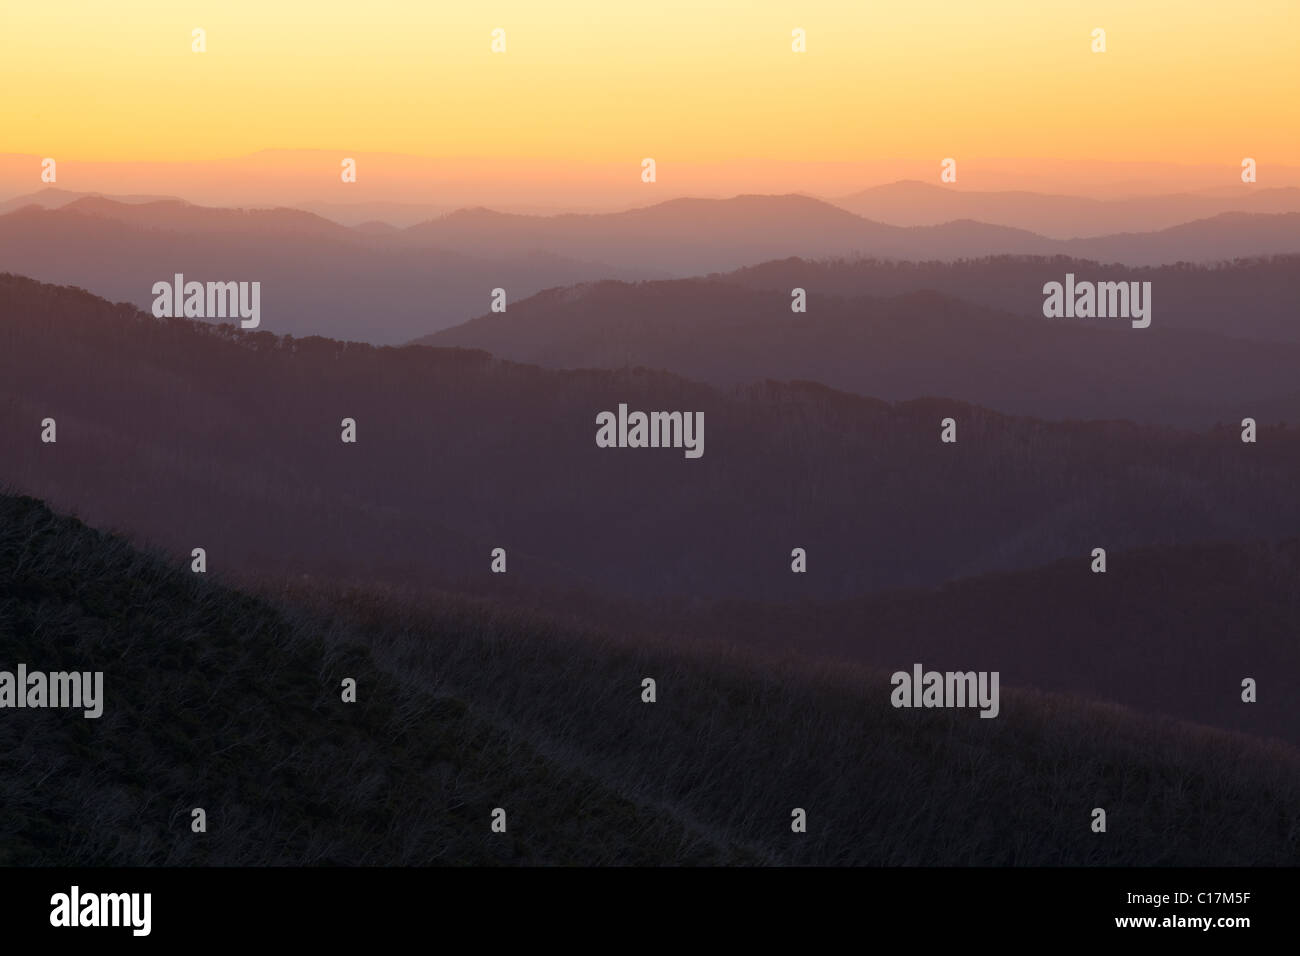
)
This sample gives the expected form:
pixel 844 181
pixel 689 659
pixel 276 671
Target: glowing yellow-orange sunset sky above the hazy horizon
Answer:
pixel 684 83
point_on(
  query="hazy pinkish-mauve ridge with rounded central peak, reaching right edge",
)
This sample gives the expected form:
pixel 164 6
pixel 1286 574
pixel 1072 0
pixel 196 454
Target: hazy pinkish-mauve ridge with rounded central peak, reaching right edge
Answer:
pixel 700 236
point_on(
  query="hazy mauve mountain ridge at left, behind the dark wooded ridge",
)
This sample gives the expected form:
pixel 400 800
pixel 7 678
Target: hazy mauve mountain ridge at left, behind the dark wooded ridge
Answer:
pixel 318 278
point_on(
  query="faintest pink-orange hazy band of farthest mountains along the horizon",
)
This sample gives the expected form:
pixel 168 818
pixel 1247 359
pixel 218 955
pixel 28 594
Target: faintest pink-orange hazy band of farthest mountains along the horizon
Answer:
pixel 309 179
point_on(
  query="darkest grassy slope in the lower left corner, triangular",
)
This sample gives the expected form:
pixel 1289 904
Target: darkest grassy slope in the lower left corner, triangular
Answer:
pixel 222 702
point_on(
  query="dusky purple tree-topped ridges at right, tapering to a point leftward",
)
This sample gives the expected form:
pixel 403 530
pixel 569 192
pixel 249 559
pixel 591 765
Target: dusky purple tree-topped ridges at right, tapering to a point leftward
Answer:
pixel 738 328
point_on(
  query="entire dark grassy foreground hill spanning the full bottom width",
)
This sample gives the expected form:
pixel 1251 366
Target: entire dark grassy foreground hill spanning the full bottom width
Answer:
pixel 232 703
